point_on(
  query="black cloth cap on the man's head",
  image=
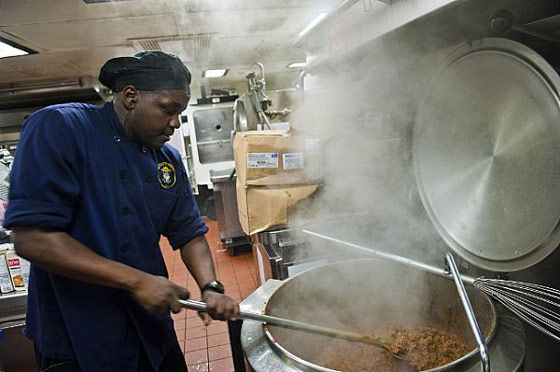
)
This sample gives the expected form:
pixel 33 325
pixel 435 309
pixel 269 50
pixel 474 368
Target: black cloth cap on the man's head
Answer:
pixel 149 70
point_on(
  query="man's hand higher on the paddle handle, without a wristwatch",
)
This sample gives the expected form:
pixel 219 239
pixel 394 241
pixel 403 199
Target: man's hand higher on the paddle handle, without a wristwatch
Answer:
pixel 159 295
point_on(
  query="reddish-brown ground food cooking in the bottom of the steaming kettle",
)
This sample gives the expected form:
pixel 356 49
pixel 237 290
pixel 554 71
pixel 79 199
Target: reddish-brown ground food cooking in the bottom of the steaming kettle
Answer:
pixel 424 348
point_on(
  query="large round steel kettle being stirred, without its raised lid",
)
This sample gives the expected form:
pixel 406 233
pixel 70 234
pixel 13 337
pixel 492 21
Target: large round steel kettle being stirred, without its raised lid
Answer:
pixel 336 294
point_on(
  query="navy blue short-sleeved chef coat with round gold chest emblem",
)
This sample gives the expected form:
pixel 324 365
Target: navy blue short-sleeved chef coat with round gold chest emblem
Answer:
pixel 75 171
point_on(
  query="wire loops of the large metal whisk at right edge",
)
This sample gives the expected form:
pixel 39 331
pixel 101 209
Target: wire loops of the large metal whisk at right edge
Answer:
pixel 533 303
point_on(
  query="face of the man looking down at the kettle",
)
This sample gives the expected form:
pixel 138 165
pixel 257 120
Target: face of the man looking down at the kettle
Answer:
pixel 156 116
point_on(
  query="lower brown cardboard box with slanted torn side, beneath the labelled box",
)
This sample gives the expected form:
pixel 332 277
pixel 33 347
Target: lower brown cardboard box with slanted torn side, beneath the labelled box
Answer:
pixel 261 208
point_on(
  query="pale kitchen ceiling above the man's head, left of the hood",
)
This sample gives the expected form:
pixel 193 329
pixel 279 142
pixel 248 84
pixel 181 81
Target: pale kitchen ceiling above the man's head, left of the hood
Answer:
pixel 74 37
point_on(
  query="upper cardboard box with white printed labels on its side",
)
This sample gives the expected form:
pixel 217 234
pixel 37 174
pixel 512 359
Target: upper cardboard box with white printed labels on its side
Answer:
pixel 271 158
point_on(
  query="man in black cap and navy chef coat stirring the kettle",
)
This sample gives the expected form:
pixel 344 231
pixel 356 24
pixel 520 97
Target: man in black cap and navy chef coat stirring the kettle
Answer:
pixel 92 190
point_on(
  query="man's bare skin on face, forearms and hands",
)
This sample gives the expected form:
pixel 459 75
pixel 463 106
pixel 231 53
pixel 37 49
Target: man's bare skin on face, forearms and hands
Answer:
pixel 149 119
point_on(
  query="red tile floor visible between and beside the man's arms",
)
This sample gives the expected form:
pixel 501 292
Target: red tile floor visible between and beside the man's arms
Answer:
pixel 208 348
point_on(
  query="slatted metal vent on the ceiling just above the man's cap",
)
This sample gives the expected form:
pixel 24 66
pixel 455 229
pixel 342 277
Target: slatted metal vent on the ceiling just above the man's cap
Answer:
pixel 194 47
